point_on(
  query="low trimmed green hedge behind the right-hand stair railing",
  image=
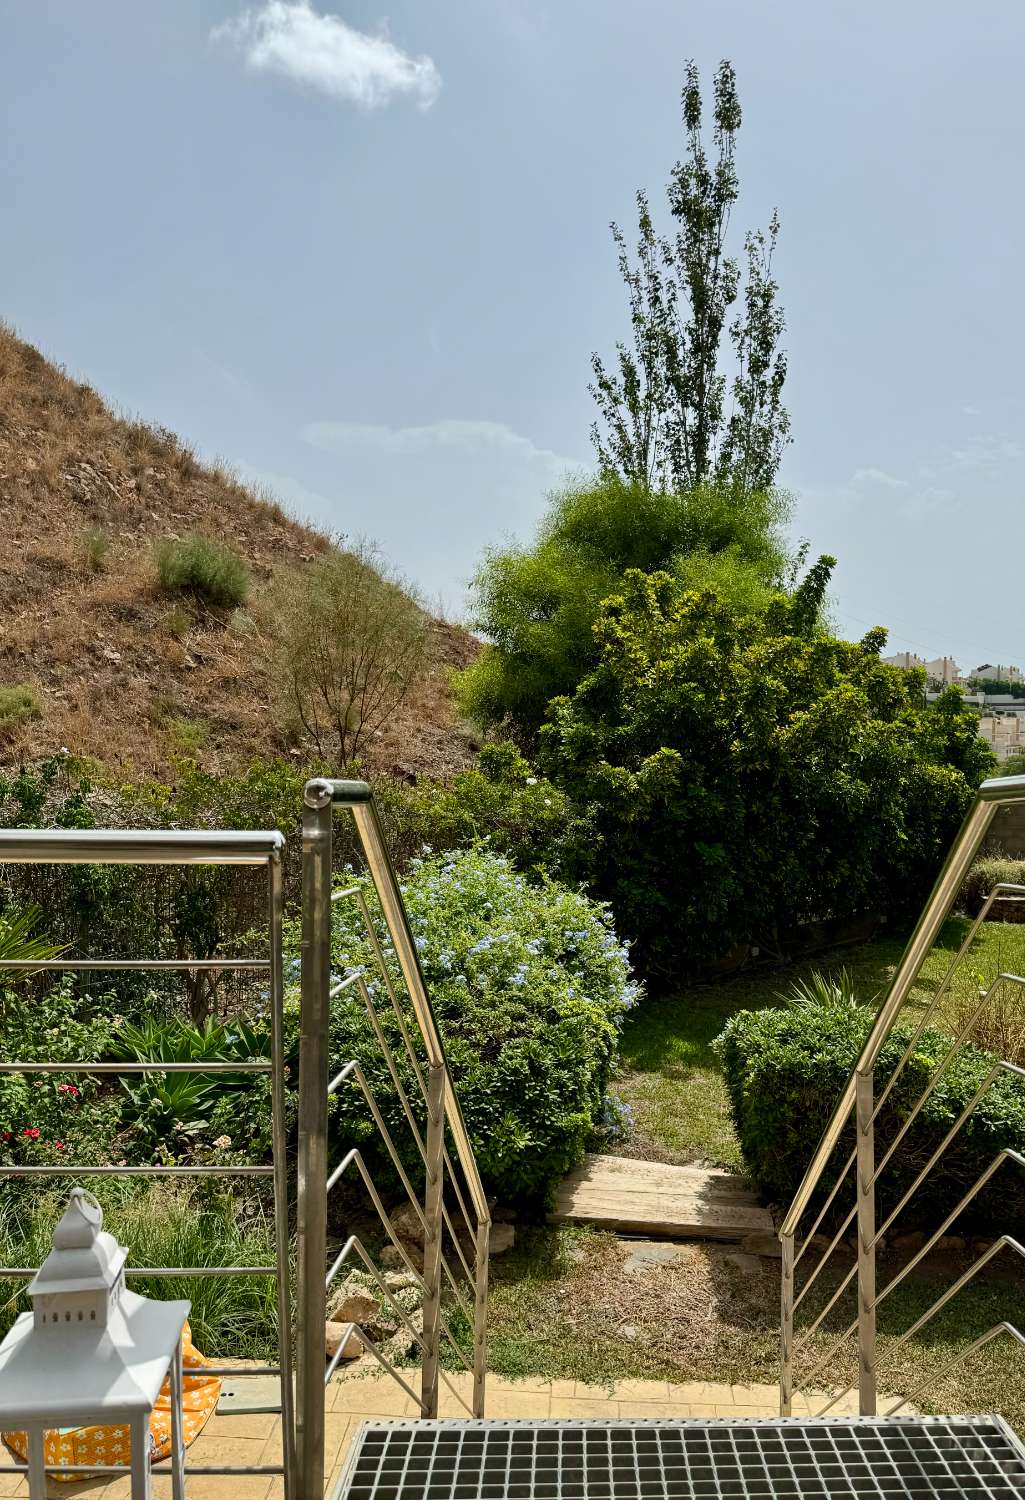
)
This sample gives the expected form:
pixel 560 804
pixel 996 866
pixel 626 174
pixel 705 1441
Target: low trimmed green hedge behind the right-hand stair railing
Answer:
pixel 784 1073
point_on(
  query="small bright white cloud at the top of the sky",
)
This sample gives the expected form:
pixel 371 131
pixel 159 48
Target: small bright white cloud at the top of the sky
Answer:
pixel 325 53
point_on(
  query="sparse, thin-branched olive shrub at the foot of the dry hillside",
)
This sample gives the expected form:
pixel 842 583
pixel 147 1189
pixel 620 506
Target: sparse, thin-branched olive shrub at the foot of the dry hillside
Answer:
pixel 349 644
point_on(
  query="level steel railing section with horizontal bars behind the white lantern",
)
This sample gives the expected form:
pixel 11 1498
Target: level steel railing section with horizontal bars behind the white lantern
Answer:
pixel 149 848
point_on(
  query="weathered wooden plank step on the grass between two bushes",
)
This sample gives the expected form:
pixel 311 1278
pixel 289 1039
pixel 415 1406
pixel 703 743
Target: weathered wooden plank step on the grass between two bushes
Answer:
pixel 648 1198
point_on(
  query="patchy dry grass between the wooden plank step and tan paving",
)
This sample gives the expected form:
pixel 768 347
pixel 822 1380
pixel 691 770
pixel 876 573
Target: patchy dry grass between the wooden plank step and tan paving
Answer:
pixel 565 1307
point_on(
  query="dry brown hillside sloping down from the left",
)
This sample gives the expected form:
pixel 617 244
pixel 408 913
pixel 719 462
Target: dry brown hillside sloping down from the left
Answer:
pixel 122 673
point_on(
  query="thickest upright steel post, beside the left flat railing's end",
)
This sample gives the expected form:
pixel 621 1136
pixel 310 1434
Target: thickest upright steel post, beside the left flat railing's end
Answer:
pixel 313 1138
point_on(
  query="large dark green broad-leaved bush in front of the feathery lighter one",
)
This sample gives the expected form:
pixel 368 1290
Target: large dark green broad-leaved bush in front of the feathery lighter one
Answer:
pixel 739 778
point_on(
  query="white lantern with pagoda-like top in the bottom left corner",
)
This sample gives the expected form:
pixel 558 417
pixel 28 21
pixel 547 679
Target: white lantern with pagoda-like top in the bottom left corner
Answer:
pixel 92 1352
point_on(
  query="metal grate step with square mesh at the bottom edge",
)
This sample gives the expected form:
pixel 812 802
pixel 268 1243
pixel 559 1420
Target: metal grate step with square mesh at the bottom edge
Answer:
pixel 889 1459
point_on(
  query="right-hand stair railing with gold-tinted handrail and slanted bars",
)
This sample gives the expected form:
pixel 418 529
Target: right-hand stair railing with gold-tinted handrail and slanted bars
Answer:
pixel 861 1100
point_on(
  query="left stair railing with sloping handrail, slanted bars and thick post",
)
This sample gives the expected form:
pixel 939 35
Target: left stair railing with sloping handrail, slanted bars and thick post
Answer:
pixel 452 1189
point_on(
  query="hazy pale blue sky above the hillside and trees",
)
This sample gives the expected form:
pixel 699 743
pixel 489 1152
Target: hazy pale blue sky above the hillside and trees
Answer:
pixel 364 257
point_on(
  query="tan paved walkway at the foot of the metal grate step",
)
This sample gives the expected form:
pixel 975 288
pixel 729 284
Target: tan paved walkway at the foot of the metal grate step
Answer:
pixel 254 1439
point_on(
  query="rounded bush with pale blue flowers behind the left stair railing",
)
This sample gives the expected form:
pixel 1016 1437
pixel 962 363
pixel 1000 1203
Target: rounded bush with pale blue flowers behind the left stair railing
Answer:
pixel 529 983
